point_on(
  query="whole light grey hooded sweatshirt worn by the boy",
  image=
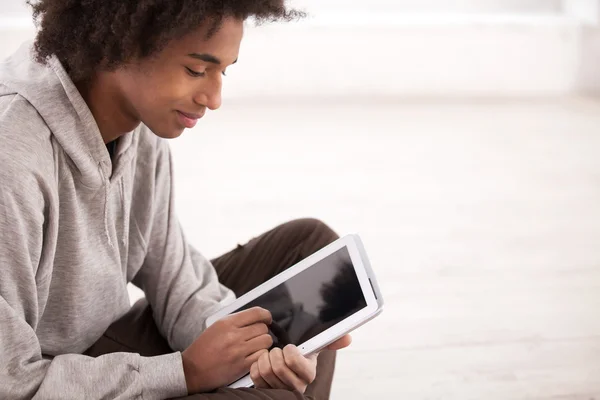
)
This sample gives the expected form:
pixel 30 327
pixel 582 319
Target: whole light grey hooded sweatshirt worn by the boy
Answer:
pixel 75 228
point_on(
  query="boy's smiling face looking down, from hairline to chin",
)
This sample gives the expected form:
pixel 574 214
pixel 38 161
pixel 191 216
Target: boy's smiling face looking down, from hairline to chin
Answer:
pixel 172 90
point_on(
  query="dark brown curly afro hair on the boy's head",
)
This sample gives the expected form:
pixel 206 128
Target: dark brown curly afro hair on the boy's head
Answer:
pixel 88 35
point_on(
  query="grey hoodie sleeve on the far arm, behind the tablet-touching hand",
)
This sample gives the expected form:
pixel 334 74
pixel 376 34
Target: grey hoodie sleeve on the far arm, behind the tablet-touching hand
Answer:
pixel 180 284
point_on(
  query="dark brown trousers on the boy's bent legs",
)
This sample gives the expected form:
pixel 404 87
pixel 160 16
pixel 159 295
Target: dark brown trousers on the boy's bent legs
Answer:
pixel 241 270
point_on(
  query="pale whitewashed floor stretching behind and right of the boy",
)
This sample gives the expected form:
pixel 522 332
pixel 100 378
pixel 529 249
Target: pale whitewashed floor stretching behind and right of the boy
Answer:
pixel 482 222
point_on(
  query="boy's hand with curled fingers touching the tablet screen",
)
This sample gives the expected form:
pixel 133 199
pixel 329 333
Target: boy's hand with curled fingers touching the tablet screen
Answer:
pixel 225 351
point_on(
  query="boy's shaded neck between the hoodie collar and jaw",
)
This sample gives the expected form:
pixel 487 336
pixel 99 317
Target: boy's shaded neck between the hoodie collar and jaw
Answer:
pixel 108 106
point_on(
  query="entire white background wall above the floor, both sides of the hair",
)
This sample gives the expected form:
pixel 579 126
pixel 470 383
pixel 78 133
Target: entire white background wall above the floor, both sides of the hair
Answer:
pixel 425 48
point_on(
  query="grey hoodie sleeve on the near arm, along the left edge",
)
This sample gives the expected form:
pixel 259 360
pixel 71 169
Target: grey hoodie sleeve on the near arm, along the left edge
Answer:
pixel 28 227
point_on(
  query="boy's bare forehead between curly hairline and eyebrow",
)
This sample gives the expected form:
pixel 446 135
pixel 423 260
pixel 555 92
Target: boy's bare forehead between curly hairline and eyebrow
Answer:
pixel 224 43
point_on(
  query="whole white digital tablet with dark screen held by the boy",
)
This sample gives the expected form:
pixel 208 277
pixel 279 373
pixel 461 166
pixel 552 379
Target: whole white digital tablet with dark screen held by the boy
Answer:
pixel 316 301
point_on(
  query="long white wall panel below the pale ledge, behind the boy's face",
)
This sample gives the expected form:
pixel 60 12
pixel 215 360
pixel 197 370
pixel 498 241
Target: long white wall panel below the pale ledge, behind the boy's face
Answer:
pixel 446 59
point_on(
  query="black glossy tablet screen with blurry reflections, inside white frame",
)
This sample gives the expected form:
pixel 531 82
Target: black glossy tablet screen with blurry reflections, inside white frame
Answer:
pixel 313 300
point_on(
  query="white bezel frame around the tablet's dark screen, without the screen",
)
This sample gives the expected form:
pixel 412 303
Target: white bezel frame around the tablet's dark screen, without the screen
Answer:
pixel 366 279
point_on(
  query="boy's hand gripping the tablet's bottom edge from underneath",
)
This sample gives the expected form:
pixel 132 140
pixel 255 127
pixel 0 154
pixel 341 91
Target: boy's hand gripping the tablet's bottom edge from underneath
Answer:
pixel 288 368
